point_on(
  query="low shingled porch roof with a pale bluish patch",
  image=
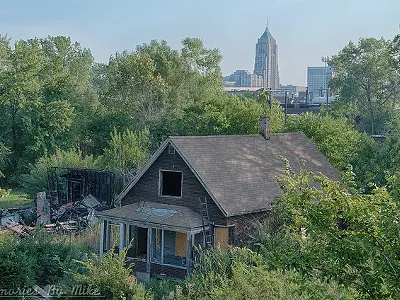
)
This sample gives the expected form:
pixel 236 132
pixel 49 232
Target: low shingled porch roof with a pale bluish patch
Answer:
pixel 152 214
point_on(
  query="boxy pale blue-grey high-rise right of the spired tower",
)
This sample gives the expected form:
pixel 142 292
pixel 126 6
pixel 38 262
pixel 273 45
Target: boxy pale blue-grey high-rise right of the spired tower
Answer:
pixel 317 80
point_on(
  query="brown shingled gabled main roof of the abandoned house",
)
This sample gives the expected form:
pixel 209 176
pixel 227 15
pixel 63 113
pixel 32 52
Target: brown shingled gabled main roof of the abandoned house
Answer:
pixel 238 171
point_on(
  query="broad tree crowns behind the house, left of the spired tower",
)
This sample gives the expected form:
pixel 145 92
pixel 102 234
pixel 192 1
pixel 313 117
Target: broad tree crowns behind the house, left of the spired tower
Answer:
pixel 156 81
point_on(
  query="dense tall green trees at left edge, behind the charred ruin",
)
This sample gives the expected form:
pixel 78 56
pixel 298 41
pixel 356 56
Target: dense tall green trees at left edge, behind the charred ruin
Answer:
pixel 45 83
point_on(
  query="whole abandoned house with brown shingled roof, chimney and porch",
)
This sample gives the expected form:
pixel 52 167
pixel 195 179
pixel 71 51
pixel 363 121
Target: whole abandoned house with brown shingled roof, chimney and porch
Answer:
pixel 202 191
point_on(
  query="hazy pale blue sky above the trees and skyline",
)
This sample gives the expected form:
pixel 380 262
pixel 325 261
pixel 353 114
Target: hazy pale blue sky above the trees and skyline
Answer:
pixel 305 30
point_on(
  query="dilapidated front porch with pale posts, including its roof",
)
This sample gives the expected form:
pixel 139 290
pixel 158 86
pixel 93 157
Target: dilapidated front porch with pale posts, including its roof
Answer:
pixel 162 237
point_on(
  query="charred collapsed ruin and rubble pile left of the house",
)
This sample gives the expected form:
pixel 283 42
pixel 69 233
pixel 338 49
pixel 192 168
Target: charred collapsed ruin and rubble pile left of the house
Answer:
pixel 74 197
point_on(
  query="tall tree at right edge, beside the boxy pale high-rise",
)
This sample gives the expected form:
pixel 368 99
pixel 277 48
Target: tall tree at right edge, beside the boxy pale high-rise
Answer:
pixel 366 77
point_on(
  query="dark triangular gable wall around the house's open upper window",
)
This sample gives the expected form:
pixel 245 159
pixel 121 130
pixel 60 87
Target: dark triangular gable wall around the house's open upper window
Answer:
pixel 147 188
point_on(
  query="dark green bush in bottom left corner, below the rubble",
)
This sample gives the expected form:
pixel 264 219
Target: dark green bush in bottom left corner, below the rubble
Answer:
pixel 37 259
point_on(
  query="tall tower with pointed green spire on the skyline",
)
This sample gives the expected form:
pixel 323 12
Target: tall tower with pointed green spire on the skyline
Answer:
pixel 266 61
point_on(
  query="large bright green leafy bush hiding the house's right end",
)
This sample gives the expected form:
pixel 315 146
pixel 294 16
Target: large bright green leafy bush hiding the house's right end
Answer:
pixel 335 233
